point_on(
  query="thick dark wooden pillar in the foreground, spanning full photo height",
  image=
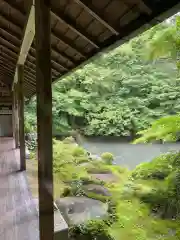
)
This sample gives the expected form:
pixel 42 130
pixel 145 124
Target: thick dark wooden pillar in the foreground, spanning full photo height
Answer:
pixel 44 118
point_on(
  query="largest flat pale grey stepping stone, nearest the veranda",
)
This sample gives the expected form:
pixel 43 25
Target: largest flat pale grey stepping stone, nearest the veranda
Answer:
pixel 77 210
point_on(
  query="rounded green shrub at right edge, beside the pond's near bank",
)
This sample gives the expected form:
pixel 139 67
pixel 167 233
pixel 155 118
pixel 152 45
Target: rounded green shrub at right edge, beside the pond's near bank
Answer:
pixel 163 193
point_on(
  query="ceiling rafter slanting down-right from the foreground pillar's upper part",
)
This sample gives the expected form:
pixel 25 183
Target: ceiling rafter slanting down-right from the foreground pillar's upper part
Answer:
pixel 74 27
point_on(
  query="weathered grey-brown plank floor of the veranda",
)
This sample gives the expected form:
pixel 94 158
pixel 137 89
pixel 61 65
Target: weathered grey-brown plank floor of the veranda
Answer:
pixel 18 216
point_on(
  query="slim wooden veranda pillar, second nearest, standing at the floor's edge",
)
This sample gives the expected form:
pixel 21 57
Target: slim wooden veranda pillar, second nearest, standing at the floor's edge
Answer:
pixel 20 74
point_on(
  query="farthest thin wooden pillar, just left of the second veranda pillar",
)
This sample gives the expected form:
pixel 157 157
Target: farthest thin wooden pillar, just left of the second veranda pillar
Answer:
pixel 15 118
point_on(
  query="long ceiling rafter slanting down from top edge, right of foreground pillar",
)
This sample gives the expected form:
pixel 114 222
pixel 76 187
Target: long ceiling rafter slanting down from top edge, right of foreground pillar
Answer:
pixel 88 6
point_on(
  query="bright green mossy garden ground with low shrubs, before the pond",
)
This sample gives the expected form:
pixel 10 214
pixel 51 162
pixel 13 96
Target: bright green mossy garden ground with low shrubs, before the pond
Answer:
pixel 143 205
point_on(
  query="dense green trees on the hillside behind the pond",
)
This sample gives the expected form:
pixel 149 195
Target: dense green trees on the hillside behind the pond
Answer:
pixel 119 93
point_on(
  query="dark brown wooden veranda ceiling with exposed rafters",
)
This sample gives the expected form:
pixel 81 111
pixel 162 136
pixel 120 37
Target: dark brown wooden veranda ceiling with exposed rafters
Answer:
pixel 79 30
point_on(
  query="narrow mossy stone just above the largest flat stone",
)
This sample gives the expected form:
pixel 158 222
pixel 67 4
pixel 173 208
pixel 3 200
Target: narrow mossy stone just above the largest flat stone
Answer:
pixel 96 189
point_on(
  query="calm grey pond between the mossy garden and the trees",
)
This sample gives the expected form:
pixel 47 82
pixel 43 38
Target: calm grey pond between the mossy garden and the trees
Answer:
pixel 126 154
